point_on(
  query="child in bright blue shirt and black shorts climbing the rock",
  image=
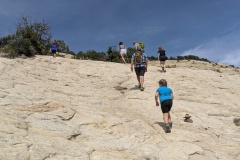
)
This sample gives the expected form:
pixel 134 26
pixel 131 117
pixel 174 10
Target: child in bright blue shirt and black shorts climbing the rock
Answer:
pixel 165 95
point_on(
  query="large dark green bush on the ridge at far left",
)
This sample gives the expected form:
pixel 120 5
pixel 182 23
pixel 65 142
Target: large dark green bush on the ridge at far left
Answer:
pixel 30 38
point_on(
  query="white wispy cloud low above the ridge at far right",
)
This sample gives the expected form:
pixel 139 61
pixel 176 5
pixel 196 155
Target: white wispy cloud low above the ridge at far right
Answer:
pixel 224 49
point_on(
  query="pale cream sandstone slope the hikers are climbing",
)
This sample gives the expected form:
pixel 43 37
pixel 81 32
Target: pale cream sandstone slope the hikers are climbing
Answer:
pixel 59 109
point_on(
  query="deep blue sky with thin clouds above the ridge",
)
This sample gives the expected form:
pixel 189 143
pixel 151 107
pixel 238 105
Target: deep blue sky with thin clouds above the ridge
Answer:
pixel 206 28
